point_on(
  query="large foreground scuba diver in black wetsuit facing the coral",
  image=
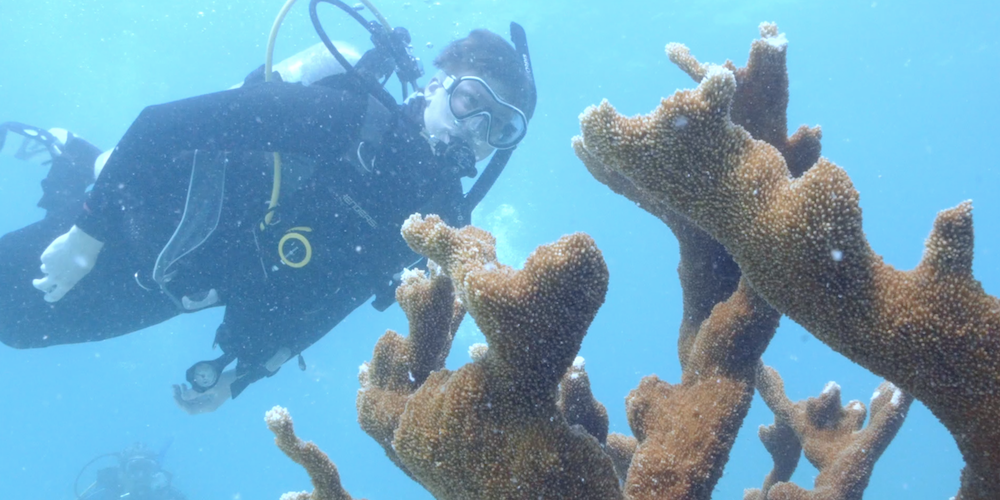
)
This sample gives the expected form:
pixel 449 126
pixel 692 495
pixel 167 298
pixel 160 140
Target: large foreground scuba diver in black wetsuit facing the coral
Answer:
pixel 281 201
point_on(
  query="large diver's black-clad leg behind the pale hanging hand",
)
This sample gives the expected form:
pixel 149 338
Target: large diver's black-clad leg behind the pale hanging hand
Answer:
pixel 106 303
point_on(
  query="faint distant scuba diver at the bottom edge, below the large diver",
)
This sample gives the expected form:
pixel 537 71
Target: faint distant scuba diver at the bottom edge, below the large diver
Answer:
pixel 137 475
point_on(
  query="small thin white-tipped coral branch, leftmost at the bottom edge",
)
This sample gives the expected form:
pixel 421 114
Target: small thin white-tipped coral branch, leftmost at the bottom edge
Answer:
pixel 322 471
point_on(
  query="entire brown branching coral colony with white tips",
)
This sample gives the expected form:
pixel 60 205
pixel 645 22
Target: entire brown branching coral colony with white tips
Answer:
pixel 766 228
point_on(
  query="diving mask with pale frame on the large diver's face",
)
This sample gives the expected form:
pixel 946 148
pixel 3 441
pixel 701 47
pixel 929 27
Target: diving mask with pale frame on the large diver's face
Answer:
pixel 502 125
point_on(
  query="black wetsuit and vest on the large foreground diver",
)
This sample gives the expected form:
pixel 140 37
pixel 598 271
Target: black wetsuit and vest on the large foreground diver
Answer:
pixel 349 211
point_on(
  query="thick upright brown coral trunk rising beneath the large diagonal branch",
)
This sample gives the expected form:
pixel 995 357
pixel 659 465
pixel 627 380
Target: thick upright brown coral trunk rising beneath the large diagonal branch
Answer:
pixel 685 431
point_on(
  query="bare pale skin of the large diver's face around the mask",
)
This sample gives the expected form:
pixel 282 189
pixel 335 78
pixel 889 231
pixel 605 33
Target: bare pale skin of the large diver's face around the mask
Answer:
pixel 441 124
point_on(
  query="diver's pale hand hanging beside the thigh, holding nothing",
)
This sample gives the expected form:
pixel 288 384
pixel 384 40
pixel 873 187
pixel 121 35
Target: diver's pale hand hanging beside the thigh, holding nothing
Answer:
pixel 66 261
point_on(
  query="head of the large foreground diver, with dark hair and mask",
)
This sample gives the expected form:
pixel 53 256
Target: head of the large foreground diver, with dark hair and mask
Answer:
pixel 482 94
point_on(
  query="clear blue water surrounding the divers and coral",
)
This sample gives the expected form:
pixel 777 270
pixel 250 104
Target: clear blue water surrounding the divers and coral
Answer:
pixel 906 92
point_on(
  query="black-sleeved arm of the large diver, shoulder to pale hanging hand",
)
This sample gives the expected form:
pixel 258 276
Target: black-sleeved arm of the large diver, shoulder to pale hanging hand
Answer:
pixel 268 117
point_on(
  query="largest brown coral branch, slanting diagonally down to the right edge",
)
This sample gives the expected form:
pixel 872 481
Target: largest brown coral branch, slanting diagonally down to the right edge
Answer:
pixel 933 331
